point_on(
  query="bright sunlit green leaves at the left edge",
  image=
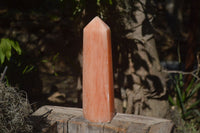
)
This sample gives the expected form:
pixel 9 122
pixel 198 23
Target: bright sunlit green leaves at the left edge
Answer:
pixel 6 46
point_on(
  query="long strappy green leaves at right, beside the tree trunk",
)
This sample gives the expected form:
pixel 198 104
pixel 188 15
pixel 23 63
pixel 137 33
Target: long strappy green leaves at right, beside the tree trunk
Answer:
pixel 184 98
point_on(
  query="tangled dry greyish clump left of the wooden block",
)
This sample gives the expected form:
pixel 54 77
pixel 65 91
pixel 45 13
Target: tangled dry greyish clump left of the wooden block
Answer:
pixel 14 111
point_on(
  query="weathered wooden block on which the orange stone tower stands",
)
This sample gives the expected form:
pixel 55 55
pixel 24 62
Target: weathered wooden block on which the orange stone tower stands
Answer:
pixel 71 120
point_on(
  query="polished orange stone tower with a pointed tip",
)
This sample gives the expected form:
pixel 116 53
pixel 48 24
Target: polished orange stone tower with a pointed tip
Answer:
pixel 98 93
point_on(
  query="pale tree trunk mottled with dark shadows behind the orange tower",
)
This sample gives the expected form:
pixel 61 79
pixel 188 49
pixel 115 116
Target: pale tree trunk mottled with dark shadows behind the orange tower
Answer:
pixel 137 61
